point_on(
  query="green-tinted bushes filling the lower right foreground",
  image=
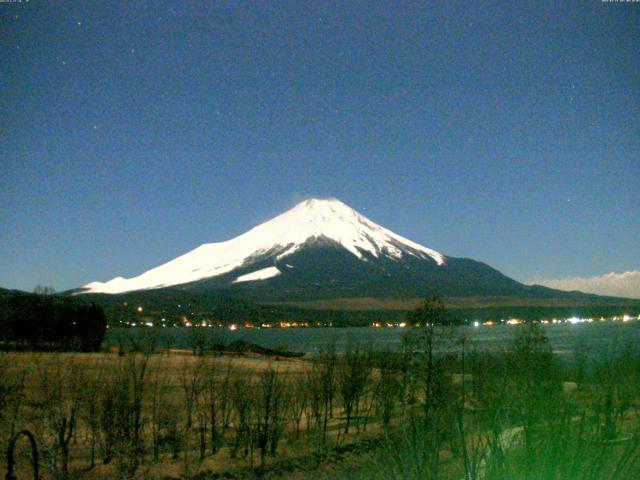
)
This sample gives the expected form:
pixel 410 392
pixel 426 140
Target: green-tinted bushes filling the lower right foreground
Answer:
pixel 520 415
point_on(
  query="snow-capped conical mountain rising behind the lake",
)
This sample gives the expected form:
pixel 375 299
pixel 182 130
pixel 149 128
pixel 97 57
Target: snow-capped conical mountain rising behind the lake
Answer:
pixel 320 249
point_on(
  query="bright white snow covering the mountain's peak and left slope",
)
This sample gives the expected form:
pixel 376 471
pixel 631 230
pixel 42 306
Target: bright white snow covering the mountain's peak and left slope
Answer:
pixel 283 235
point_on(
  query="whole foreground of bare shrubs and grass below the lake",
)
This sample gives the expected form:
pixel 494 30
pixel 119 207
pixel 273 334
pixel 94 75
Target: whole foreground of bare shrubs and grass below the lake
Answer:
pixel 417 412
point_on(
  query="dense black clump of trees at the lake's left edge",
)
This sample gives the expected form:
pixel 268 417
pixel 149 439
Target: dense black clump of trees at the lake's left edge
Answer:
pixel 45 322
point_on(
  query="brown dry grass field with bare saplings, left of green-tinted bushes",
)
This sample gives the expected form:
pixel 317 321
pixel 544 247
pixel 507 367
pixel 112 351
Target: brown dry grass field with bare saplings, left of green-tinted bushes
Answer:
pixel 168 415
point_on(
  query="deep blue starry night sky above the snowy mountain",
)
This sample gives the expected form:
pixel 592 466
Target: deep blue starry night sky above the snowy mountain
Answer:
pixel 132 132
